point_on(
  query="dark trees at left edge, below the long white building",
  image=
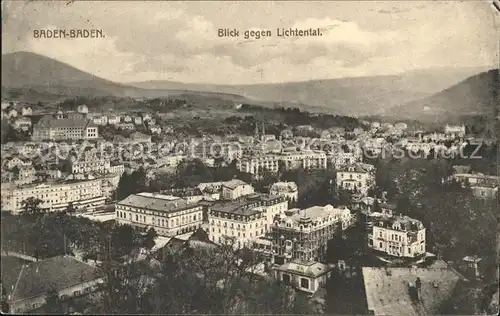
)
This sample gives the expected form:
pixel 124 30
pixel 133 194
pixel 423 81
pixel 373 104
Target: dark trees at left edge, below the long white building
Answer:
pixel 47 234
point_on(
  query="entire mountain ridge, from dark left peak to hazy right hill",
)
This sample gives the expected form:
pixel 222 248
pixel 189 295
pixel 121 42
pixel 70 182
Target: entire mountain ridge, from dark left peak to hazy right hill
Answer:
pixel 356 96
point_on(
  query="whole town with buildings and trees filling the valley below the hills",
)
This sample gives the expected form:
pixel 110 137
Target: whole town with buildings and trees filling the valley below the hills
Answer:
pixel 109 211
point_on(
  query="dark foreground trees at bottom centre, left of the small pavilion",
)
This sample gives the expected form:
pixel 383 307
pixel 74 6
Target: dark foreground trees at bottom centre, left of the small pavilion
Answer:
pixel 193 280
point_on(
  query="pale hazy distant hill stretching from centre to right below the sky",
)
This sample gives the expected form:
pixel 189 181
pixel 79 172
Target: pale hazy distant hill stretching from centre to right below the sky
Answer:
pixel 347 96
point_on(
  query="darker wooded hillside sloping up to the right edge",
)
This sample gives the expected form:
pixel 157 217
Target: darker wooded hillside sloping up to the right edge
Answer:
pixel 476 95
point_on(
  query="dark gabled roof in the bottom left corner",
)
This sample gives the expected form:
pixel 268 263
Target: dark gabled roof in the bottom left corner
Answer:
pixel 56 273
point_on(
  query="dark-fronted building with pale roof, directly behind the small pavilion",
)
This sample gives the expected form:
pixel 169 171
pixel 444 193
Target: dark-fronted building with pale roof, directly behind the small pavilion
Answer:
pixel 303 234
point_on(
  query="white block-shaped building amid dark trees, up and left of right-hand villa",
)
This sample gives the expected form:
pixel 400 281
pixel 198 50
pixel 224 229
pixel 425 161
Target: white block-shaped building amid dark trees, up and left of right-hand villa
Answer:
pixel 356 178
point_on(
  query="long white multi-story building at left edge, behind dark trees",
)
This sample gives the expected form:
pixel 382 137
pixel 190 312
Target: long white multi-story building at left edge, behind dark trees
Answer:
pixel 84 194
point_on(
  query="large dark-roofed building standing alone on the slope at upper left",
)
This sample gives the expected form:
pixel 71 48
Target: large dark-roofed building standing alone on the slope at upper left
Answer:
pixel 49 128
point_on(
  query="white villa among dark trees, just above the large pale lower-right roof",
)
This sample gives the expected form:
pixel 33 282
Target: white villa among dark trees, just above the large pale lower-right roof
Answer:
pixel 397 236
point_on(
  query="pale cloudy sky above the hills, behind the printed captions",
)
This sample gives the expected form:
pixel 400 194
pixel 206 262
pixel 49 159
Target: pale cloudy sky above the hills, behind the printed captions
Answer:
pixel 178 41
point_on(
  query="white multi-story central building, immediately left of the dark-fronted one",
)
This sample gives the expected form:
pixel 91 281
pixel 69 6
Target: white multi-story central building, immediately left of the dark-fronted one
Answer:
pixel 241 221
